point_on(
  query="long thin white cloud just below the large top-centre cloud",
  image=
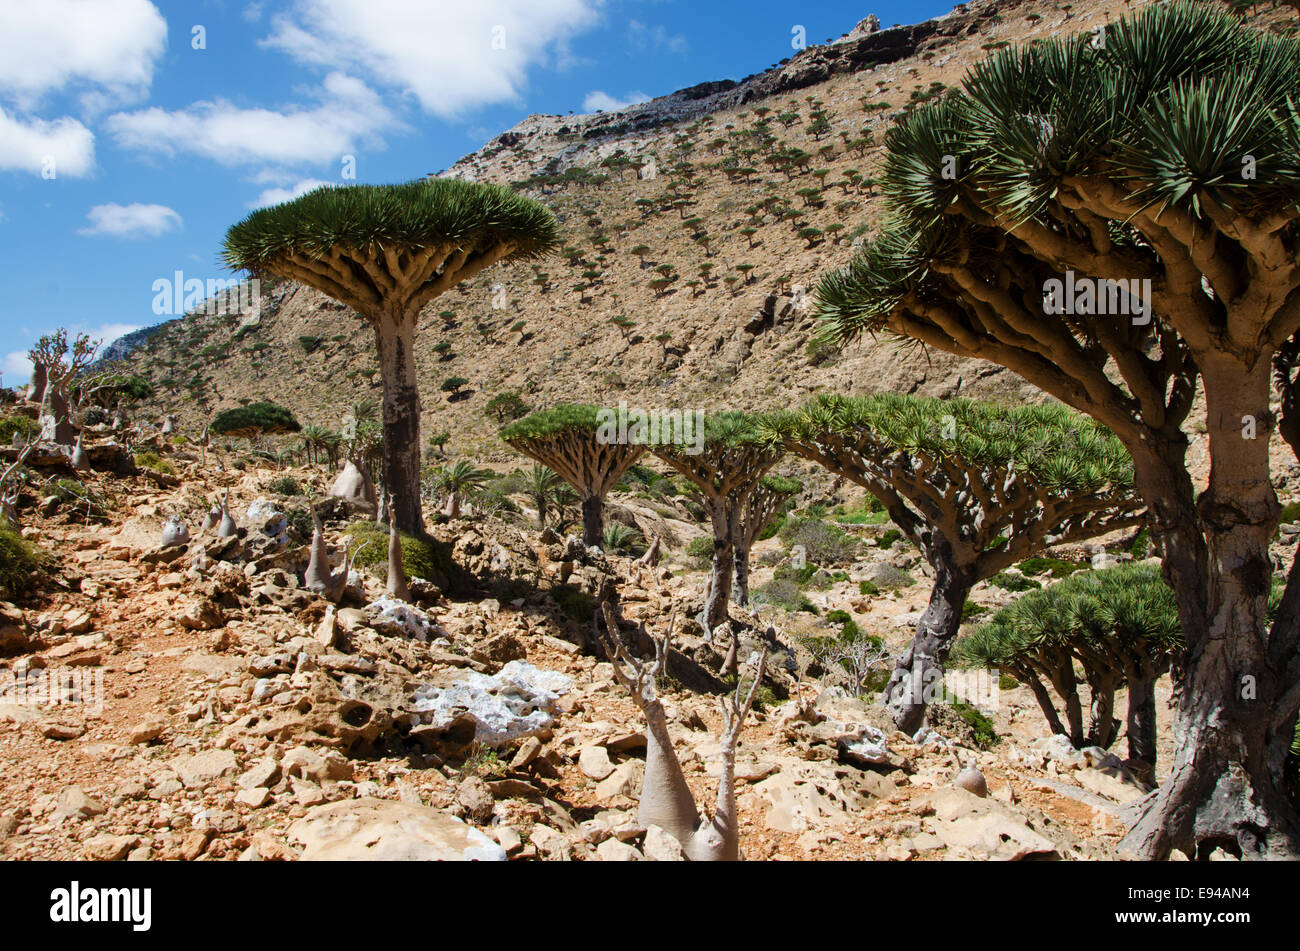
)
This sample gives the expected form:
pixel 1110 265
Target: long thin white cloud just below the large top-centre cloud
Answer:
pixel 349 114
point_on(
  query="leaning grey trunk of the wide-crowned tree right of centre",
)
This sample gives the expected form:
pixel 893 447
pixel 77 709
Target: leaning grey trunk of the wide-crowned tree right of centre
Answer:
pixel 918 676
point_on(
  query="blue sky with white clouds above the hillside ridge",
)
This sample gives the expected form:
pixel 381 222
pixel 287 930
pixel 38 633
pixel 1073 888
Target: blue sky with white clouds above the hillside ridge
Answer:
pixel 135 133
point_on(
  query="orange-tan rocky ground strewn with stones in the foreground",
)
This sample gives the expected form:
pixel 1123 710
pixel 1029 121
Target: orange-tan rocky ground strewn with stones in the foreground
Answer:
pixel 244 718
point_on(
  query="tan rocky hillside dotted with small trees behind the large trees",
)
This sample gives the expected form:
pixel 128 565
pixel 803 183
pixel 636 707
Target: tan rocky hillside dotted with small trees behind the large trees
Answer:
pixel 699 222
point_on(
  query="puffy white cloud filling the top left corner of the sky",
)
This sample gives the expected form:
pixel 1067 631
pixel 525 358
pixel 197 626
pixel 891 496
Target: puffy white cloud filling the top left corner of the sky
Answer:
pixel 50 45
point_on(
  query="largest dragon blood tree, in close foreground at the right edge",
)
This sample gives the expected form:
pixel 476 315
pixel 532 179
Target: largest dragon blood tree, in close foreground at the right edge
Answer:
pixel 1119 223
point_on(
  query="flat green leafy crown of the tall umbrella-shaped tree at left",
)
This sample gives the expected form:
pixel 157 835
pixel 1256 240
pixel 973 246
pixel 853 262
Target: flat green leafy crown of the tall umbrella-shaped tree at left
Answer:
pixel 371 220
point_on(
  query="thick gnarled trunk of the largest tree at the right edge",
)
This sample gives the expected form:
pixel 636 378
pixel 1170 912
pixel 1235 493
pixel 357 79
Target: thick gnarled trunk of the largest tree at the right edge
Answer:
pixel 1228 788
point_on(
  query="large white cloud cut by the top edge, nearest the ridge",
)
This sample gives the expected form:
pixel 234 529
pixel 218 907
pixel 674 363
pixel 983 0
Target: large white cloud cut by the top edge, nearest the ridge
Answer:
pixel 452 57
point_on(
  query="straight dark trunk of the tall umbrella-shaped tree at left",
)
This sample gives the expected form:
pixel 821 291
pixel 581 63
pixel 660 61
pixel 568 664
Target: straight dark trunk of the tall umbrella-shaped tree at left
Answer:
pixel 395 338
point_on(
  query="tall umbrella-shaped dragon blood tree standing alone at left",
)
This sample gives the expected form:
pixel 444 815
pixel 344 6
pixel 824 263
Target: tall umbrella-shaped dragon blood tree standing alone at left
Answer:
pixel 387 251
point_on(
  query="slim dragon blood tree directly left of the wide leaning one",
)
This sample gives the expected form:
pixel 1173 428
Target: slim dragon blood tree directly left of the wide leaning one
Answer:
pixel 727 470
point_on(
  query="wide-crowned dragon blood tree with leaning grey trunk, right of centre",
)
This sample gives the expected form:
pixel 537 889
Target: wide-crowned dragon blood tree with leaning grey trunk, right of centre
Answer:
pixel 976 487
